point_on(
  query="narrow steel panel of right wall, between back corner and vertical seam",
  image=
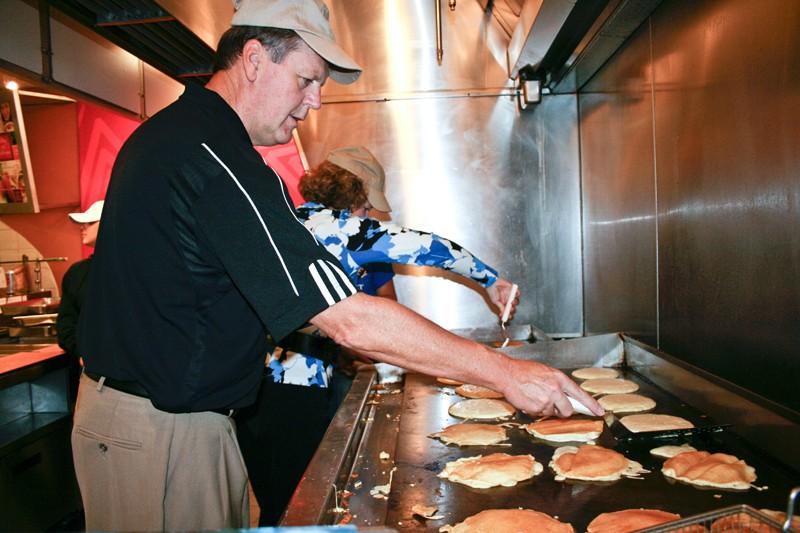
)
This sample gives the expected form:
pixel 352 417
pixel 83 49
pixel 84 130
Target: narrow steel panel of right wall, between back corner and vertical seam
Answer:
pixel 619 196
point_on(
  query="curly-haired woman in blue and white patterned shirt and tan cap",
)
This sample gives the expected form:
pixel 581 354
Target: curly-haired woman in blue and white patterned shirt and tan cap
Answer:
pixel 298 397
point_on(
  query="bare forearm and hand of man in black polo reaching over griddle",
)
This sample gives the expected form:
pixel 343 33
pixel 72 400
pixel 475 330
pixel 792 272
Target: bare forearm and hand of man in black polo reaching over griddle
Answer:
pixel 386 331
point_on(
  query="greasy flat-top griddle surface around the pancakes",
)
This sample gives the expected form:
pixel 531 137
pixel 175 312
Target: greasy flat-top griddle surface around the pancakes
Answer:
pixel 401 425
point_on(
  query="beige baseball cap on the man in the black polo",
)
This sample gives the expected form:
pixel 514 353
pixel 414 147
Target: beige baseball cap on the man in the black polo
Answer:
pixel 309 18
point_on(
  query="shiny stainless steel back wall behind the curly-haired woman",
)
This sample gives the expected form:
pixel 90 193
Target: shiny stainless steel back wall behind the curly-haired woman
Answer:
pixel 461 160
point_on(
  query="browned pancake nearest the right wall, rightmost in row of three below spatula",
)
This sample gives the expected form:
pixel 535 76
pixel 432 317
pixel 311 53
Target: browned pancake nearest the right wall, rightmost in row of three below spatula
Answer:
pixel 710 470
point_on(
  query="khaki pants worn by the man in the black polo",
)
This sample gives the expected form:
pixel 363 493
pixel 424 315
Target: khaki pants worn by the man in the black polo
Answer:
pixel 141 469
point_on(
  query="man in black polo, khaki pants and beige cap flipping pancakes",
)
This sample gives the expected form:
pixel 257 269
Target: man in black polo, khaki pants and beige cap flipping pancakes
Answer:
pixel 199 257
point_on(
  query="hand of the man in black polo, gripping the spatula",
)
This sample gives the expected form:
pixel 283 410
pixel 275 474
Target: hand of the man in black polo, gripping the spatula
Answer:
pixel 541 390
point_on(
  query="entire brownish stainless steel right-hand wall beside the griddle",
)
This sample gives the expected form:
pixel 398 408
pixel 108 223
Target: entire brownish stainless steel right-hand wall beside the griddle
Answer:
pixel 712 152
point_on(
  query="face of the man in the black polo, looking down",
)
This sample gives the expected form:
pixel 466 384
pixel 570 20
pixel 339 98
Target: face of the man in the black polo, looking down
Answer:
pixel 284 93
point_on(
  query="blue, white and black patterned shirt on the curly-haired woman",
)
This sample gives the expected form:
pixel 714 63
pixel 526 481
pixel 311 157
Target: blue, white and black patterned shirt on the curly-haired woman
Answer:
pixel 359 242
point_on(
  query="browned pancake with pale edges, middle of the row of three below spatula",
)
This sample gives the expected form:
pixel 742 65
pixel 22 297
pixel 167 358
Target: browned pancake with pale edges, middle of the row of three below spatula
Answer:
pixel 592 463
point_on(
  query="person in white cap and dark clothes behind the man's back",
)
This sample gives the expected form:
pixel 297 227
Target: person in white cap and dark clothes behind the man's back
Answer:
pixel 73 290
